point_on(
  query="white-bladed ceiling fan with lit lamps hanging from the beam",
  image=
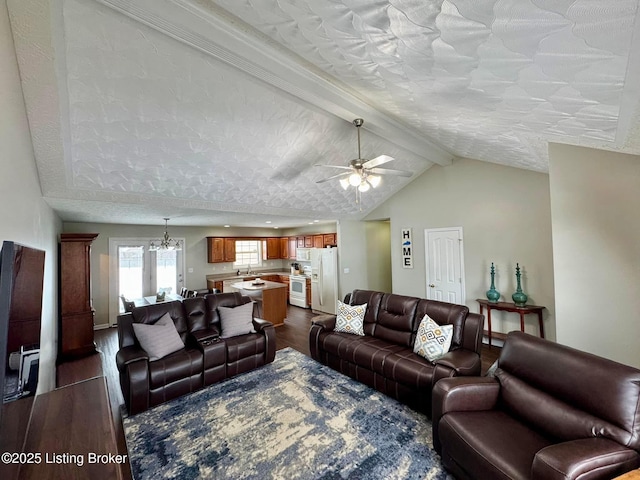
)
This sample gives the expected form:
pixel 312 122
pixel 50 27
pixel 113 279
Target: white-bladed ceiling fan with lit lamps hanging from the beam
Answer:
pixel 361 173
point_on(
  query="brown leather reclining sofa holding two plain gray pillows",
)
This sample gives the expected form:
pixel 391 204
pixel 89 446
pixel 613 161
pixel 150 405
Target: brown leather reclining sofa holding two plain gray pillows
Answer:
pixel 206 358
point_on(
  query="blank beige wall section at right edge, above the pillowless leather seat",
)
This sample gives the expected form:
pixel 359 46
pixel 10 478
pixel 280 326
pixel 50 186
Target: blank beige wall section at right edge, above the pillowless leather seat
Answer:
pixel 595 197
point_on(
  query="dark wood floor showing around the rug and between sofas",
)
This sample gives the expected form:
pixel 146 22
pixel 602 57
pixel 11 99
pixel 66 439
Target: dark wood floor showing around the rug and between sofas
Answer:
pixel 294 333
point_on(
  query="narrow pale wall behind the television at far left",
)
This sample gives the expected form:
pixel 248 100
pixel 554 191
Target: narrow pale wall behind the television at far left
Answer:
pixel 25 218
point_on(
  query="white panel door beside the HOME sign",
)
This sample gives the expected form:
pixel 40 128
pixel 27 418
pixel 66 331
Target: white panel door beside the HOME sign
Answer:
pixel 445 264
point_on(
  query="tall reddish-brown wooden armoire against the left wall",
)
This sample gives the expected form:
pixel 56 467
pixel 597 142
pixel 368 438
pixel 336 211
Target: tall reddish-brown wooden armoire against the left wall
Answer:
pixel 76 310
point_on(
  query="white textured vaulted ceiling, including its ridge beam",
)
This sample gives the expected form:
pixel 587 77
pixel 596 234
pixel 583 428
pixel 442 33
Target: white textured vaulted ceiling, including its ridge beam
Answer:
pixel 215 112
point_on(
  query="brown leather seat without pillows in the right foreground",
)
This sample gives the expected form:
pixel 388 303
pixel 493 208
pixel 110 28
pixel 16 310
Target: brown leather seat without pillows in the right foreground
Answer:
pixel 550 412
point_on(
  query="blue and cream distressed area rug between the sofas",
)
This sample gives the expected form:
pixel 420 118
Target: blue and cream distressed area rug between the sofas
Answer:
pixel 292 419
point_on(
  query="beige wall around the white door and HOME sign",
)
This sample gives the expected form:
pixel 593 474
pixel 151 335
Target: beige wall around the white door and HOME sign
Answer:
pixel 506 218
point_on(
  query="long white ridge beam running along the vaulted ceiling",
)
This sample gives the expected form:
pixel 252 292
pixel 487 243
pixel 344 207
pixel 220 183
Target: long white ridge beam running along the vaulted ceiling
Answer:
pixel 216 33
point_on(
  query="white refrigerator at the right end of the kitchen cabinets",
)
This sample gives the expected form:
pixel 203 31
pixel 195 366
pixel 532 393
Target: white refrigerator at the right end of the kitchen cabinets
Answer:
pixel 324 279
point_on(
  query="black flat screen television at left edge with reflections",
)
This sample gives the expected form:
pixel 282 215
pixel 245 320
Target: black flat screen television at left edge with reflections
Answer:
pixel 21 282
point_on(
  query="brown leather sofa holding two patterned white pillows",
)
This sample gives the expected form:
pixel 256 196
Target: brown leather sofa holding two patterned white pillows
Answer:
pixel 383 358
